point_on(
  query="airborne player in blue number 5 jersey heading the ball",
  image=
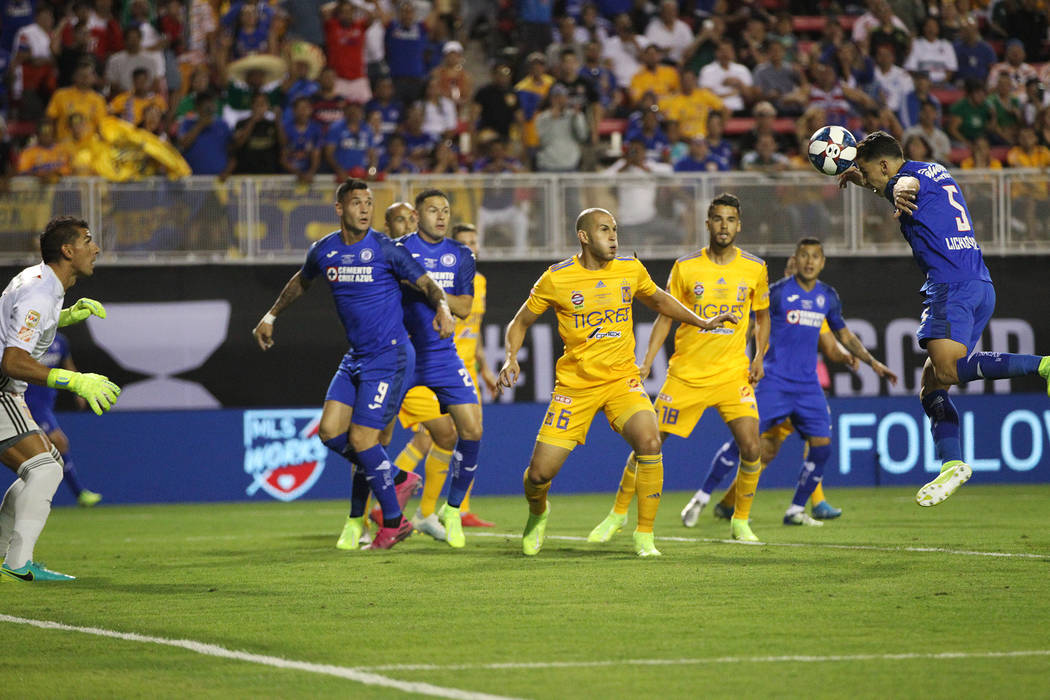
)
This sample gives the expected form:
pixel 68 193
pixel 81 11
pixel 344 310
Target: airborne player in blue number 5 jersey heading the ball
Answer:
pixel 960 298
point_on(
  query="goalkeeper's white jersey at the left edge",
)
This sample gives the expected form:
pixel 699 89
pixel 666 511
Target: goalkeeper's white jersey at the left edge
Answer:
pixel 30 310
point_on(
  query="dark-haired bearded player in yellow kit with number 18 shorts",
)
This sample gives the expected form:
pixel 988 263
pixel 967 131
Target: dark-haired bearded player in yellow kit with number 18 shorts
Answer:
pixel 710 368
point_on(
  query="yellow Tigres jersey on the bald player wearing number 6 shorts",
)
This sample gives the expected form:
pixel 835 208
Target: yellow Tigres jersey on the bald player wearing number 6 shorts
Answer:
pixel 595 320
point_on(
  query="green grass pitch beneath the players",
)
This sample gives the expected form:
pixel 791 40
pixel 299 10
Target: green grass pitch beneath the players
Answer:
pixel 891 601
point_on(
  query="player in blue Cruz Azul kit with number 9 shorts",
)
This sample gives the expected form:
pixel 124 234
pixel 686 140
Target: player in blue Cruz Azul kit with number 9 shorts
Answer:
pixel 365 270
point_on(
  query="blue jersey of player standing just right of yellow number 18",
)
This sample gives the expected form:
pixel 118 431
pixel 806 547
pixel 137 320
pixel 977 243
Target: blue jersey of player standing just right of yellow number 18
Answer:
pixel 796 317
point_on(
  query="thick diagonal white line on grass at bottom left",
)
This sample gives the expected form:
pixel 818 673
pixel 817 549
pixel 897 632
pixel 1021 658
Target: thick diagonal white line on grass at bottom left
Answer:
pixel 364 677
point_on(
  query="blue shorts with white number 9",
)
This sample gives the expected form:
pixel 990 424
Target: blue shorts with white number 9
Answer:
pixel 374 386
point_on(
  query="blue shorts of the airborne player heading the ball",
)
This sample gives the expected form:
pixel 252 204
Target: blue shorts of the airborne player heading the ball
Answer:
pixel 959 311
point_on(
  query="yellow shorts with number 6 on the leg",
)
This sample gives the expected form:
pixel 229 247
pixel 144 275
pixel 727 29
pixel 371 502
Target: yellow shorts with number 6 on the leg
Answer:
pixel 571 412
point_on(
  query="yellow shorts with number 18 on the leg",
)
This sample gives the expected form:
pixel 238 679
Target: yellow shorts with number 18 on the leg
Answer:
pixel 680 406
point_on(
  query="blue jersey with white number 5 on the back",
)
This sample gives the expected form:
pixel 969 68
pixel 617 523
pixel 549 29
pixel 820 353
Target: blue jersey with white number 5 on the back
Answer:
pixel 941 229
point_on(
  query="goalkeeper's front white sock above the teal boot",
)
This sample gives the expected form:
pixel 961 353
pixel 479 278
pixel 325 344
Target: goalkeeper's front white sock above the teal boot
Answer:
pixel 41 476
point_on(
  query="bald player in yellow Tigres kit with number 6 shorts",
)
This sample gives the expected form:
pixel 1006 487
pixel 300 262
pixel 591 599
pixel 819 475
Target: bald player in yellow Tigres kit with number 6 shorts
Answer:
pixel 592 294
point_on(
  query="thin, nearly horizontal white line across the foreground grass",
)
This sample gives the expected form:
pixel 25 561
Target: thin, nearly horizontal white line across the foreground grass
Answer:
pixel 715 661
